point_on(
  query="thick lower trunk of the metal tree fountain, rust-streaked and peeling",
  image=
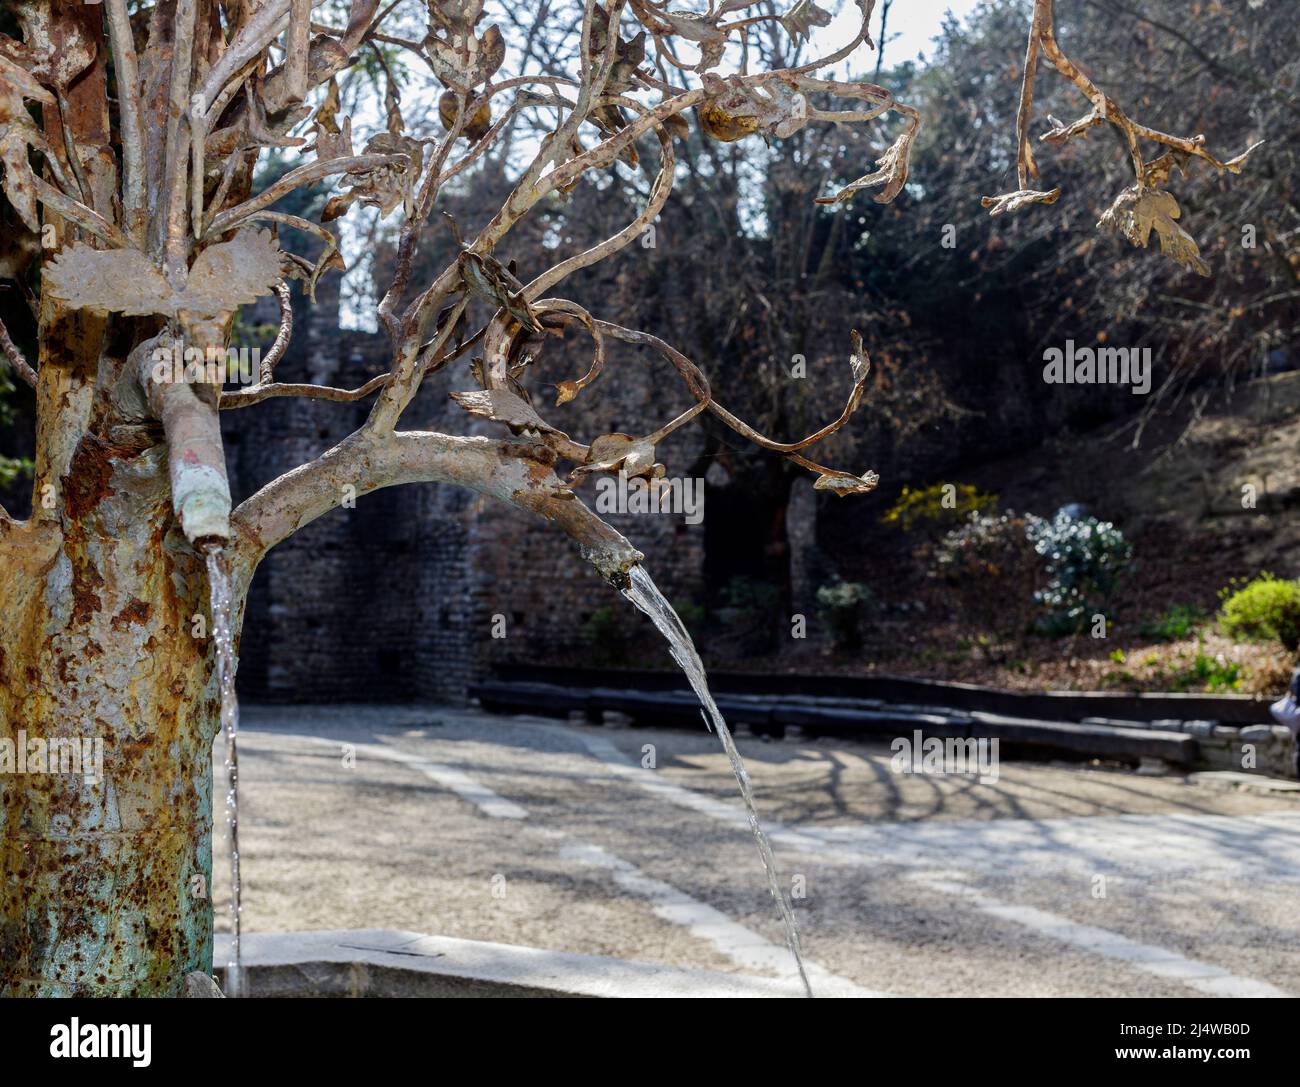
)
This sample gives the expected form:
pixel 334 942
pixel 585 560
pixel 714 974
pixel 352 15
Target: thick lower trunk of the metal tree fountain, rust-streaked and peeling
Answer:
pixel 106 885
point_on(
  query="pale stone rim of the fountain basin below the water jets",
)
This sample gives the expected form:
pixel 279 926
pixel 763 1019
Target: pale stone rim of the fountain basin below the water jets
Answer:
pixel 391 963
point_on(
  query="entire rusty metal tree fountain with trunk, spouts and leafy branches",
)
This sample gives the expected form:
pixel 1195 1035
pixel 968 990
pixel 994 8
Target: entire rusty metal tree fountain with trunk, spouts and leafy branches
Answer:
pixel 138 183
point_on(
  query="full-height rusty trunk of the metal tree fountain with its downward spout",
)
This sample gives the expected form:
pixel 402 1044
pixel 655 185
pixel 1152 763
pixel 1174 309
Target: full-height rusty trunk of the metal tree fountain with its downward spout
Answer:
pixel 105 621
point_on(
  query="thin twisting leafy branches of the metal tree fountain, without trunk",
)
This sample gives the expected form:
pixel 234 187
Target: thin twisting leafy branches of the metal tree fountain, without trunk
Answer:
pixel 229 106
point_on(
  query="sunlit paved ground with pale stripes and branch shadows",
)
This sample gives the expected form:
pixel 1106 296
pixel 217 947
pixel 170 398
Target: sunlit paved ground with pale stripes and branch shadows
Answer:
pixel 1056 881
